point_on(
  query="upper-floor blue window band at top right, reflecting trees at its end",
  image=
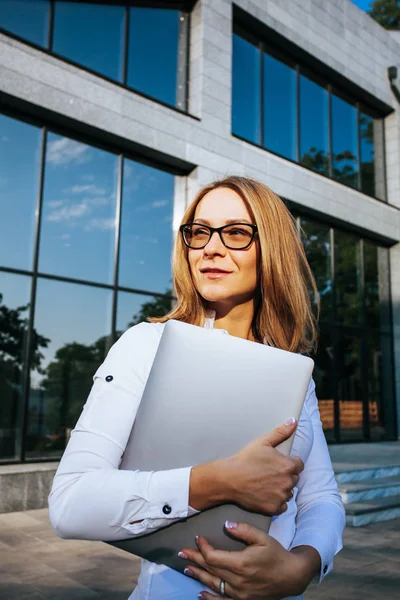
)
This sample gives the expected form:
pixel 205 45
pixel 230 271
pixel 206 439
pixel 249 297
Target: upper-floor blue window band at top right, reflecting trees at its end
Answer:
pixel 292 112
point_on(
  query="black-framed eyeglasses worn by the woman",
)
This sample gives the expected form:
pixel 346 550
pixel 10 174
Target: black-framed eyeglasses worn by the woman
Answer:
pixel 236 236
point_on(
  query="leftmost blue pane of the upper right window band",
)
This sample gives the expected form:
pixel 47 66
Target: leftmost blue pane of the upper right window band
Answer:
pixel 246 107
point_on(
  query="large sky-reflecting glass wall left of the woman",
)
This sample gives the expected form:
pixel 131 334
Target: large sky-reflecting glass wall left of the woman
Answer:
pixel 98 263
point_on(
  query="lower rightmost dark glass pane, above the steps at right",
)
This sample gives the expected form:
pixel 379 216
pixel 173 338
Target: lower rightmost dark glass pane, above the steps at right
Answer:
pixel 381 405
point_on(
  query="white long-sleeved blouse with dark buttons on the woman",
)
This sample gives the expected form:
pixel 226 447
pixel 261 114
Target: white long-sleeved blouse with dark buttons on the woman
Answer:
pixel 92 499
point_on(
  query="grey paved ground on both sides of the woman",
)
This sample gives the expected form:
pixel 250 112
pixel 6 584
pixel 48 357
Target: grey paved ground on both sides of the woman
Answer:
pixel 36 565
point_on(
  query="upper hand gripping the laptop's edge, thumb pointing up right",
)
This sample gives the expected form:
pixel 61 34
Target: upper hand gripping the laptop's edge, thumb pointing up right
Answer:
pixel 258 477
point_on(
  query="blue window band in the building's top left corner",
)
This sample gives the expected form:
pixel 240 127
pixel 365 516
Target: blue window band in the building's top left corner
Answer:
pixel 119 42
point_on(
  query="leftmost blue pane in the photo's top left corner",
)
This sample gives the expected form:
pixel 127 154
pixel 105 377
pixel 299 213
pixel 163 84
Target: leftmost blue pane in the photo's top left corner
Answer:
pixel 28 19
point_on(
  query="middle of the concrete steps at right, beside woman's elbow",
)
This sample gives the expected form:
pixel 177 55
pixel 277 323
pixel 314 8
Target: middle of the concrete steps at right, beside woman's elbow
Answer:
pixel 369 489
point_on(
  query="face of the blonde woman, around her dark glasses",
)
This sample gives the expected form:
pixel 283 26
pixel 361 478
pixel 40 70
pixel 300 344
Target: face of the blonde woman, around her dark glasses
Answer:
pixel 222 276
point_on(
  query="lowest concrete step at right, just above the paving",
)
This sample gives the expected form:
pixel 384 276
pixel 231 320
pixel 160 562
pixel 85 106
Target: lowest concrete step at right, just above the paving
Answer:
pixel 372 511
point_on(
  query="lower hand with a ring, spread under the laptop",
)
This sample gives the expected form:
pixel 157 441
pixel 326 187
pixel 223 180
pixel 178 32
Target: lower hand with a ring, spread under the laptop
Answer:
pixel 264 569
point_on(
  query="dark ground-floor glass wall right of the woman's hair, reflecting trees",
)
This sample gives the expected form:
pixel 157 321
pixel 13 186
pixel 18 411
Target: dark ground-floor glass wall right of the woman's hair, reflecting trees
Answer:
pixel 354 361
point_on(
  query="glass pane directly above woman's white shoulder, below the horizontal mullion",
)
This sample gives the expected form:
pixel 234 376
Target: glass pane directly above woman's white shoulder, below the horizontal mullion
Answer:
pixel 136 308
